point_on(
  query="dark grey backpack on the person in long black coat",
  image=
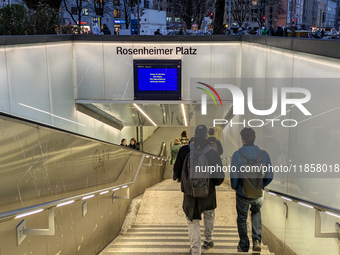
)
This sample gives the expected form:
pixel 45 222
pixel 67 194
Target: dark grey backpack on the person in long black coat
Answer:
pixel 196 183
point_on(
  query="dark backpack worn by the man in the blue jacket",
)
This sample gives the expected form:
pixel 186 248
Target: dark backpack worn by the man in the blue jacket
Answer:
pixel 252 181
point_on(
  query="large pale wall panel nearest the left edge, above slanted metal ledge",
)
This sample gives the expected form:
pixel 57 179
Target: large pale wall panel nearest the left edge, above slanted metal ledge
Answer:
pixel 28 81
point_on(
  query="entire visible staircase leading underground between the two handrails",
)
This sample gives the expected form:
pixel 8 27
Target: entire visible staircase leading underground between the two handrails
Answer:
pixel 160 226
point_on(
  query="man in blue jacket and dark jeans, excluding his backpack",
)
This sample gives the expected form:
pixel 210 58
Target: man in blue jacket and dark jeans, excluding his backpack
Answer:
pixel 250 152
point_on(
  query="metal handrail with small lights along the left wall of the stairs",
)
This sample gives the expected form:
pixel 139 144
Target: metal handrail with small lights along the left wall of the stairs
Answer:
pixel 10 215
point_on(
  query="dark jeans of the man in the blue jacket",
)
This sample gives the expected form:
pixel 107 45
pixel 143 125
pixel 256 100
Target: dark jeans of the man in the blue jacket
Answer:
pixel 242 206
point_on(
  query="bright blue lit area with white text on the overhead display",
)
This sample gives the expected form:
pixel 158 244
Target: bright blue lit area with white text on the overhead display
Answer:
pixel 157 79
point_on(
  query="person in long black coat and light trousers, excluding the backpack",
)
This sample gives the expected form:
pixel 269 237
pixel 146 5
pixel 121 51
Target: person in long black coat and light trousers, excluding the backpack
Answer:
pixel 193 207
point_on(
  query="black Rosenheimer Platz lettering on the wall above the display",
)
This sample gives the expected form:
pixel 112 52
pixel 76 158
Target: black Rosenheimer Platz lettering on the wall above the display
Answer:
pixel 156 51
